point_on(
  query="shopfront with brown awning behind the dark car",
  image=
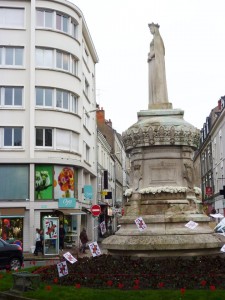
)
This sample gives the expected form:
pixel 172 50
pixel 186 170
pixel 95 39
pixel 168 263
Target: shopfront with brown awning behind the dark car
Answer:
pixel 11 224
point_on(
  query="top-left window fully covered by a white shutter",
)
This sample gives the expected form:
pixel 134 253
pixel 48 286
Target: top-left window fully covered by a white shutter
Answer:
pixel 11 17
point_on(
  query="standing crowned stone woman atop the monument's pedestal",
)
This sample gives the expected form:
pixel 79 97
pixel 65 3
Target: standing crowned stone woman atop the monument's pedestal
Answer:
pixel 158 97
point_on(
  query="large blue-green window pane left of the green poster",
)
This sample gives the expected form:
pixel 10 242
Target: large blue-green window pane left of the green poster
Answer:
pixel 14 182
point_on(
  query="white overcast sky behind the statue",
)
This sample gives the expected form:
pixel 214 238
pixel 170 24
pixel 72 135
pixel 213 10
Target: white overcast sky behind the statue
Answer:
pixel 193 32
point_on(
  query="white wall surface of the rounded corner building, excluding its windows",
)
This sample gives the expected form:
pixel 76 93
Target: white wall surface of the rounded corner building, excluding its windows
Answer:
pixel 29 116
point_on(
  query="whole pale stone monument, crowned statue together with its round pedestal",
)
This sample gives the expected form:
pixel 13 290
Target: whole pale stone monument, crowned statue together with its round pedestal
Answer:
pixel 162 192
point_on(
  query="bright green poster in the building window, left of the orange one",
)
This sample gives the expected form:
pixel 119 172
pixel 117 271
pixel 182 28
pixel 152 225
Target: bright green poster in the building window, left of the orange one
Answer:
pixel 43 182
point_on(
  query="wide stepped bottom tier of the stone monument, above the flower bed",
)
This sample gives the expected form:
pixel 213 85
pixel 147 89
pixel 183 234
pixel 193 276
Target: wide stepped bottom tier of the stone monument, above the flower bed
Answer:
pixel 164 236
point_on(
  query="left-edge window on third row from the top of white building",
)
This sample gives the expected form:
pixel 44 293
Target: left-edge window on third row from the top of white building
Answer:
pixel 11 96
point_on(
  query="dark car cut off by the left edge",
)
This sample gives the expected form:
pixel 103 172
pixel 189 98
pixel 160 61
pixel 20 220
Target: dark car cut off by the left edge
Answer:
pixel 11 256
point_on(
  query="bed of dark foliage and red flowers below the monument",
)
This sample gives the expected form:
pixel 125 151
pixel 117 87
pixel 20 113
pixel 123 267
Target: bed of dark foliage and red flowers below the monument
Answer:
pixel 106 271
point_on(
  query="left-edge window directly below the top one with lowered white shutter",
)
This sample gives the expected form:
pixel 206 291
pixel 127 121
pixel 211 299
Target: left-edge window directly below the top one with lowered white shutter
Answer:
pixel 11 56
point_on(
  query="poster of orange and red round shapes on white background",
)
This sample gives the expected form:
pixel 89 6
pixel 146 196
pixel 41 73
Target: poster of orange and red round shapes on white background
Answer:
pixel 63 182
